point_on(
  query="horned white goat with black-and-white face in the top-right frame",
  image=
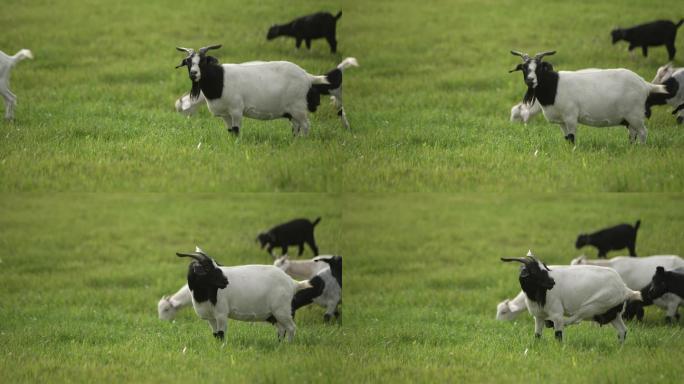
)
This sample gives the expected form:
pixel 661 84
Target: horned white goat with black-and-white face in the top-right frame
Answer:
pixel 598 98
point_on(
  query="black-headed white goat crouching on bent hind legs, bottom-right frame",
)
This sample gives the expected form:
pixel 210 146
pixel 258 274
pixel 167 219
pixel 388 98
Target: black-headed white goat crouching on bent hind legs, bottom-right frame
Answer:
pixel 581 293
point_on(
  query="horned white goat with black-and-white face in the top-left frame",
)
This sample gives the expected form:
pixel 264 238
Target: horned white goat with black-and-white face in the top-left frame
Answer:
pixel 260 90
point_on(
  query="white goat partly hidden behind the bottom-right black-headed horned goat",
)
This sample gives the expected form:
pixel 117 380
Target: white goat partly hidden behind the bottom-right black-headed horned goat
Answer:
pixel 636 272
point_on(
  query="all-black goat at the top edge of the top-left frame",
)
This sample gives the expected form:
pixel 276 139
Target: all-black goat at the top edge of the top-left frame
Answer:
pixel 306 28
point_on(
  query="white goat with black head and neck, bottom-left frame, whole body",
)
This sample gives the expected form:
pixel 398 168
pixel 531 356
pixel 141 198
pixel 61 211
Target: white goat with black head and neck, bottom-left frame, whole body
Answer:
pixel 245 293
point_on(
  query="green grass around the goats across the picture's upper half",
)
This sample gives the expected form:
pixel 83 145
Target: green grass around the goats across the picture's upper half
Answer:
pixel 429 105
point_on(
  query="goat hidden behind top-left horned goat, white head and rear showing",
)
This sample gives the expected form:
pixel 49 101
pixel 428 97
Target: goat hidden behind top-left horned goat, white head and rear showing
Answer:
pixel 188 106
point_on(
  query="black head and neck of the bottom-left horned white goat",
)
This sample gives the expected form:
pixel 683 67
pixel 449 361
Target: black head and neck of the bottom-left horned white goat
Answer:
pixel 204 279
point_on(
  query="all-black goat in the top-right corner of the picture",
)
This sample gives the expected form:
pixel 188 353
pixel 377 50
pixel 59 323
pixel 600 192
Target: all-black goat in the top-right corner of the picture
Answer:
pixel 660 32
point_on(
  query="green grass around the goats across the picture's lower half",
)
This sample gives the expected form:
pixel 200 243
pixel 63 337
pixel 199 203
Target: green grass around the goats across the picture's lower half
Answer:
pixel 81 275
